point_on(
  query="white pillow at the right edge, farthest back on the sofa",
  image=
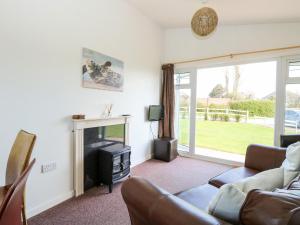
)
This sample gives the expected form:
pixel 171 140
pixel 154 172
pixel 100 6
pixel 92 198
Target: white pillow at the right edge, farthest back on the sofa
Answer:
pixel 292 161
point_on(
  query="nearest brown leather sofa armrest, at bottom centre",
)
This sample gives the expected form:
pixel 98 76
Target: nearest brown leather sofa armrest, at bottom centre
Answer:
pixel 149 205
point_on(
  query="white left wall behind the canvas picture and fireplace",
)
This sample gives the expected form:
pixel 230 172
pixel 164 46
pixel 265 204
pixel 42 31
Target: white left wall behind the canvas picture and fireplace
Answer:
pixel 40 88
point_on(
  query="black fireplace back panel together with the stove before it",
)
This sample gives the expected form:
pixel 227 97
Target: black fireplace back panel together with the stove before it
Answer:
pixel 106 157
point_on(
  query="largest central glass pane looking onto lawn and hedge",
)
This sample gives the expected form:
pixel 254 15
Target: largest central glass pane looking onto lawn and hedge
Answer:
pixel 235 108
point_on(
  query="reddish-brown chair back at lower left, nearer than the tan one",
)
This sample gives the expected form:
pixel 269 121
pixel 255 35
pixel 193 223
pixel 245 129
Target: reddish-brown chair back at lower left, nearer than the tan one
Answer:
pixel 11 207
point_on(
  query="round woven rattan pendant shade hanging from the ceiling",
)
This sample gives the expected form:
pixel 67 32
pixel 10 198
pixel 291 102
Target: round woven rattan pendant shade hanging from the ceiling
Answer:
pixel 204 21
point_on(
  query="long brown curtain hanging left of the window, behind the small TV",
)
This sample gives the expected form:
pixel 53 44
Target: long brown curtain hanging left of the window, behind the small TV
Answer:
pixel 166 126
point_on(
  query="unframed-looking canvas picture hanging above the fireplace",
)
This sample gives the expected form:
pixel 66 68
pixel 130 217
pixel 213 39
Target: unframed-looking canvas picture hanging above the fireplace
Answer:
pixel 101 71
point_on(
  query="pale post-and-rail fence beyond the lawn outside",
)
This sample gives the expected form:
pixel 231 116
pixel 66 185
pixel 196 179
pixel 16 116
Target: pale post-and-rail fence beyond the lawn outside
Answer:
pixel 212 112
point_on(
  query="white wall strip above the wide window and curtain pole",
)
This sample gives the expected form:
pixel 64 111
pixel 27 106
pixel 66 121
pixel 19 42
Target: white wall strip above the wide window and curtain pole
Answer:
pixel 182 44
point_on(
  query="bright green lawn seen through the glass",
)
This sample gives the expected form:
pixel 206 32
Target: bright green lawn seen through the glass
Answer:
pixel 227 136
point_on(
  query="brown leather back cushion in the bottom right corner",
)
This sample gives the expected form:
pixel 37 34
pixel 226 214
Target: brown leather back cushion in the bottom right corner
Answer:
pixel 270 208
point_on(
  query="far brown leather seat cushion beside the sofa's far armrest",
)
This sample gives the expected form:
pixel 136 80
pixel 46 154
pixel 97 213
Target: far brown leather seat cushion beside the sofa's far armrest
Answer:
pixel 232 175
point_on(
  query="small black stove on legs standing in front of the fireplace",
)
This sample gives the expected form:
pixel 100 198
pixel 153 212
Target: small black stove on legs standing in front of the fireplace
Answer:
pixel 114 164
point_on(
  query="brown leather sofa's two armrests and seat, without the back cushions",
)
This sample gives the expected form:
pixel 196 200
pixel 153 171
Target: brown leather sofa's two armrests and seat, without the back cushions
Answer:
pixel 150 205
